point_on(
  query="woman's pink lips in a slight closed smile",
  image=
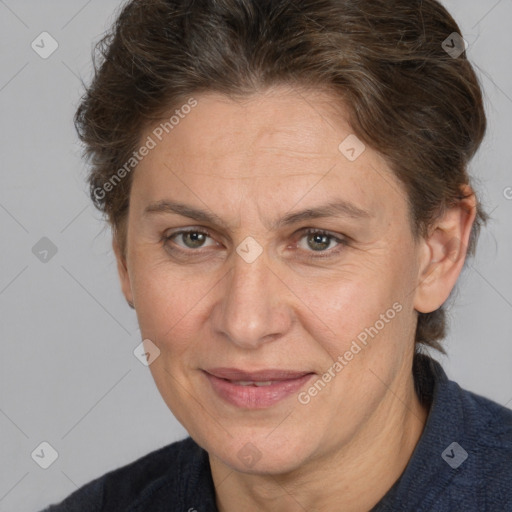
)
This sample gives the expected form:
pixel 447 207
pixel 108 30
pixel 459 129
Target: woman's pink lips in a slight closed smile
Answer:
pixel 284 383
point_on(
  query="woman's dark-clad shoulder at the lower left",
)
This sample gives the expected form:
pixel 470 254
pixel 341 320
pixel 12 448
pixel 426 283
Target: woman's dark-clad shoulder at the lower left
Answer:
pixel 127 487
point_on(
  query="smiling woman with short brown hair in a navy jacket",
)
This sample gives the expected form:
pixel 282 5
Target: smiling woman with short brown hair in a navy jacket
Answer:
pixel 288 191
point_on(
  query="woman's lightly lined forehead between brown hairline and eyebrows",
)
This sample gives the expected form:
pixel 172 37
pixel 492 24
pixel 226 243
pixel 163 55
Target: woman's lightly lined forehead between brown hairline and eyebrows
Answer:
pixel 276 148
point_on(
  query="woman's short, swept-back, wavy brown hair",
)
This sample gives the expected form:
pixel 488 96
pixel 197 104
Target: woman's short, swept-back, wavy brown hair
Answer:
pixel 407 98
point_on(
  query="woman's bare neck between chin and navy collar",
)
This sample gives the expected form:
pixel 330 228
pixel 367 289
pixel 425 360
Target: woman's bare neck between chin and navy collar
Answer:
pixel 356 475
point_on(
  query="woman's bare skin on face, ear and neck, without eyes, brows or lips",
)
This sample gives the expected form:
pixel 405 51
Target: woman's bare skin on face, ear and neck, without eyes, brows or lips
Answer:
pixel 252 162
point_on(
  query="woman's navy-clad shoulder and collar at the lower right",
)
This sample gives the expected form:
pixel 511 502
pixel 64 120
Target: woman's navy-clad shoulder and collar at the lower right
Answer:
pixel 463 460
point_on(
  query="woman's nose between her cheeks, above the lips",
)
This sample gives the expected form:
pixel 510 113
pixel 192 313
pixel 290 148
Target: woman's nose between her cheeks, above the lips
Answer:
pixel 253 307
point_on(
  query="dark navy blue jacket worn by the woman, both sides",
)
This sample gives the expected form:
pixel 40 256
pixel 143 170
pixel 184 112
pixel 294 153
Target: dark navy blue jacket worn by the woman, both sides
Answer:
pixel 462 463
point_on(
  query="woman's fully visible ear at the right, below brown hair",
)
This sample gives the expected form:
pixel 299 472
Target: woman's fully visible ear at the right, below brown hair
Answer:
pixel 444 253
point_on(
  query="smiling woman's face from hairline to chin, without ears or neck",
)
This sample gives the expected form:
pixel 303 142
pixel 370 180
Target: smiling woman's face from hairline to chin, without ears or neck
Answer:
pixel 259 249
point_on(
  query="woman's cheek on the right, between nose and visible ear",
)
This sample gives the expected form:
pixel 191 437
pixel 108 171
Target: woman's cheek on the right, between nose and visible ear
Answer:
pixel 363 315
